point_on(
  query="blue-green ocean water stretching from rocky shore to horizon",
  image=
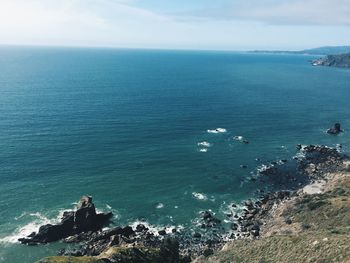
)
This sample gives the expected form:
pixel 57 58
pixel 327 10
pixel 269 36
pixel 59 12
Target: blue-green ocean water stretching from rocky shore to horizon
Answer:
pixel 123 126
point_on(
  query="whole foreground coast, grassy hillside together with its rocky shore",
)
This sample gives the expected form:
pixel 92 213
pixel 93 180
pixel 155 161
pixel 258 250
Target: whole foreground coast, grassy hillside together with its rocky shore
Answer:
pixel 310 224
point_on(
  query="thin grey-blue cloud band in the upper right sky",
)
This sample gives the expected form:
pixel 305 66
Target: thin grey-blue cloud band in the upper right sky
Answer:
pixel 282 12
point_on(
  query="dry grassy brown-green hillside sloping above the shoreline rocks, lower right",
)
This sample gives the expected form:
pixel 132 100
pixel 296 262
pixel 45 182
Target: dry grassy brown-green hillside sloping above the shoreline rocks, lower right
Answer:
pixel 313 227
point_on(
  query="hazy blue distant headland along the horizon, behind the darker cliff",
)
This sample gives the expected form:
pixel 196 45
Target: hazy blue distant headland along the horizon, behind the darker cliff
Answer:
pixel 314 51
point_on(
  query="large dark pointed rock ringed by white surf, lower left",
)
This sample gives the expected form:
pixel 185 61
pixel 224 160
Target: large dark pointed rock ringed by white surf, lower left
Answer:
pixel 83 219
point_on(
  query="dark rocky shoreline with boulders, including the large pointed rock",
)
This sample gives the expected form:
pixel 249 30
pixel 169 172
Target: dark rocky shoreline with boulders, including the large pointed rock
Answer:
pixel 84 226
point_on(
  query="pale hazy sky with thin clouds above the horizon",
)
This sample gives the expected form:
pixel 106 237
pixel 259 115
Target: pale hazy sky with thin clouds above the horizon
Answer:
pixel 189 24
